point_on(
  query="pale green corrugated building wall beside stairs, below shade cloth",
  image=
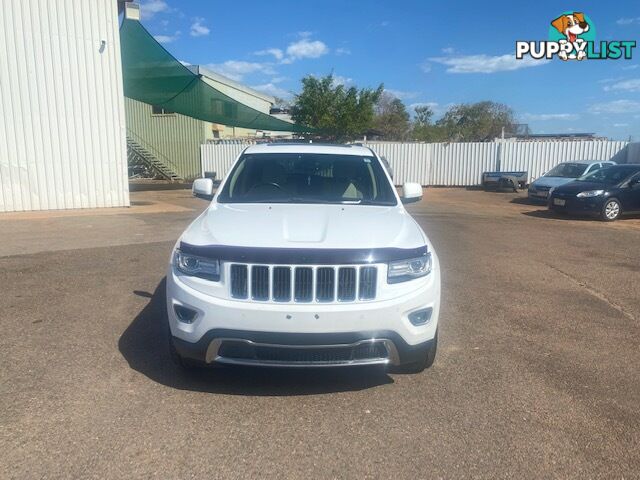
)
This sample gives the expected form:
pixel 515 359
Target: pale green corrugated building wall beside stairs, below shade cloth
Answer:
pixel 174 139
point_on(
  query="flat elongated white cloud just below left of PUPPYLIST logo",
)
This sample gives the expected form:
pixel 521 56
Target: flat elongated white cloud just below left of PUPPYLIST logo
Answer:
pixel 486 63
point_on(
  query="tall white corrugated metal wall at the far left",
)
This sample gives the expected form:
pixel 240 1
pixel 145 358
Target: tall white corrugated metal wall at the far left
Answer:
pixel 62 125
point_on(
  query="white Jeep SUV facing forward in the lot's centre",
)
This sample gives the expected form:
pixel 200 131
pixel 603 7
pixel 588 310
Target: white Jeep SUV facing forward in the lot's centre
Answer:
pixel 306 257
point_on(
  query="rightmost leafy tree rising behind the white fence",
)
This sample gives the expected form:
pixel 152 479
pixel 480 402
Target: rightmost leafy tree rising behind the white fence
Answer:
pixel 476 122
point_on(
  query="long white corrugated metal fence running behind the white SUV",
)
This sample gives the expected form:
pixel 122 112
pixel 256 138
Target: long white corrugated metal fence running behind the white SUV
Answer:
pixel 454 164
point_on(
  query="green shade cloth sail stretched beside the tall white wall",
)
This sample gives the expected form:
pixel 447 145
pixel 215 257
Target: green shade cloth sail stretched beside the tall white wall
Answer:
pixel 152 75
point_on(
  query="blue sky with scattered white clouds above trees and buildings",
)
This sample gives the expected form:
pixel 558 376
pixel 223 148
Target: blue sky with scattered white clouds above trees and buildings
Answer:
pixel 433 52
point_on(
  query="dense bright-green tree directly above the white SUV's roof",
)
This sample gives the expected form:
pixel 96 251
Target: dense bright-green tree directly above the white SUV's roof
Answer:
pixel 335 111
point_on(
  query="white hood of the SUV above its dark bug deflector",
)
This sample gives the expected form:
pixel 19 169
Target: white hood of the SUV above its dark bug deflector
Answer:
pixel 305 226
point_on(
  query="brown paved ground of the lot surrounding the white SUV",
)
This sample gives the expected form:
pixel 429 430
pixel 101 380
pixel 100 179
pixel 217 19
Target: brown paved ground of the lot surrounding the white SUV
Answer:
pixel 536 376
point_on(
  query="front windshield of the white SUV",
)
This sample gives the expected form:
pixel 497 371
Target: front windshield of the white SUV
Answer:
pixel 307 178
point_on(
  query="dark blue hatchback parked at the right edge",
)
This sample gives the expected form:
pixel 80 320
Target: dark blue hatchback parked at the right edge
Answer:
pixel 607 193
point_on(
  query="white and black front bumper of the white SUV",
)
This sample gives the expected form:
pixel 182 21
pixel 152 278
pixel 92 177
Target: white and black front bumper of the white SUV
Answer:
pixel 342 329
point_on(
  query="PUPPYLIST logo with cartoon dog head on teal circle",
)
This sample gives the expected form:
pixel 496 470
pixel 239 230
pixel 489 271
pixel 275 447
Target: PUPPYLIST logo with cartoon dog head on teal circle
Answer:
pixel 572 36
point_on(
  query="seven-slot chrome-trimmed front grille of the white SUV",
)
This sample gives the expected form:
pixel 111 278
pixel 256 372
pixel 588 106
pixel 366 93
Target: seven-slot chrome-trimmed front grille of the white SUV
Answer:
pixel 303 284
